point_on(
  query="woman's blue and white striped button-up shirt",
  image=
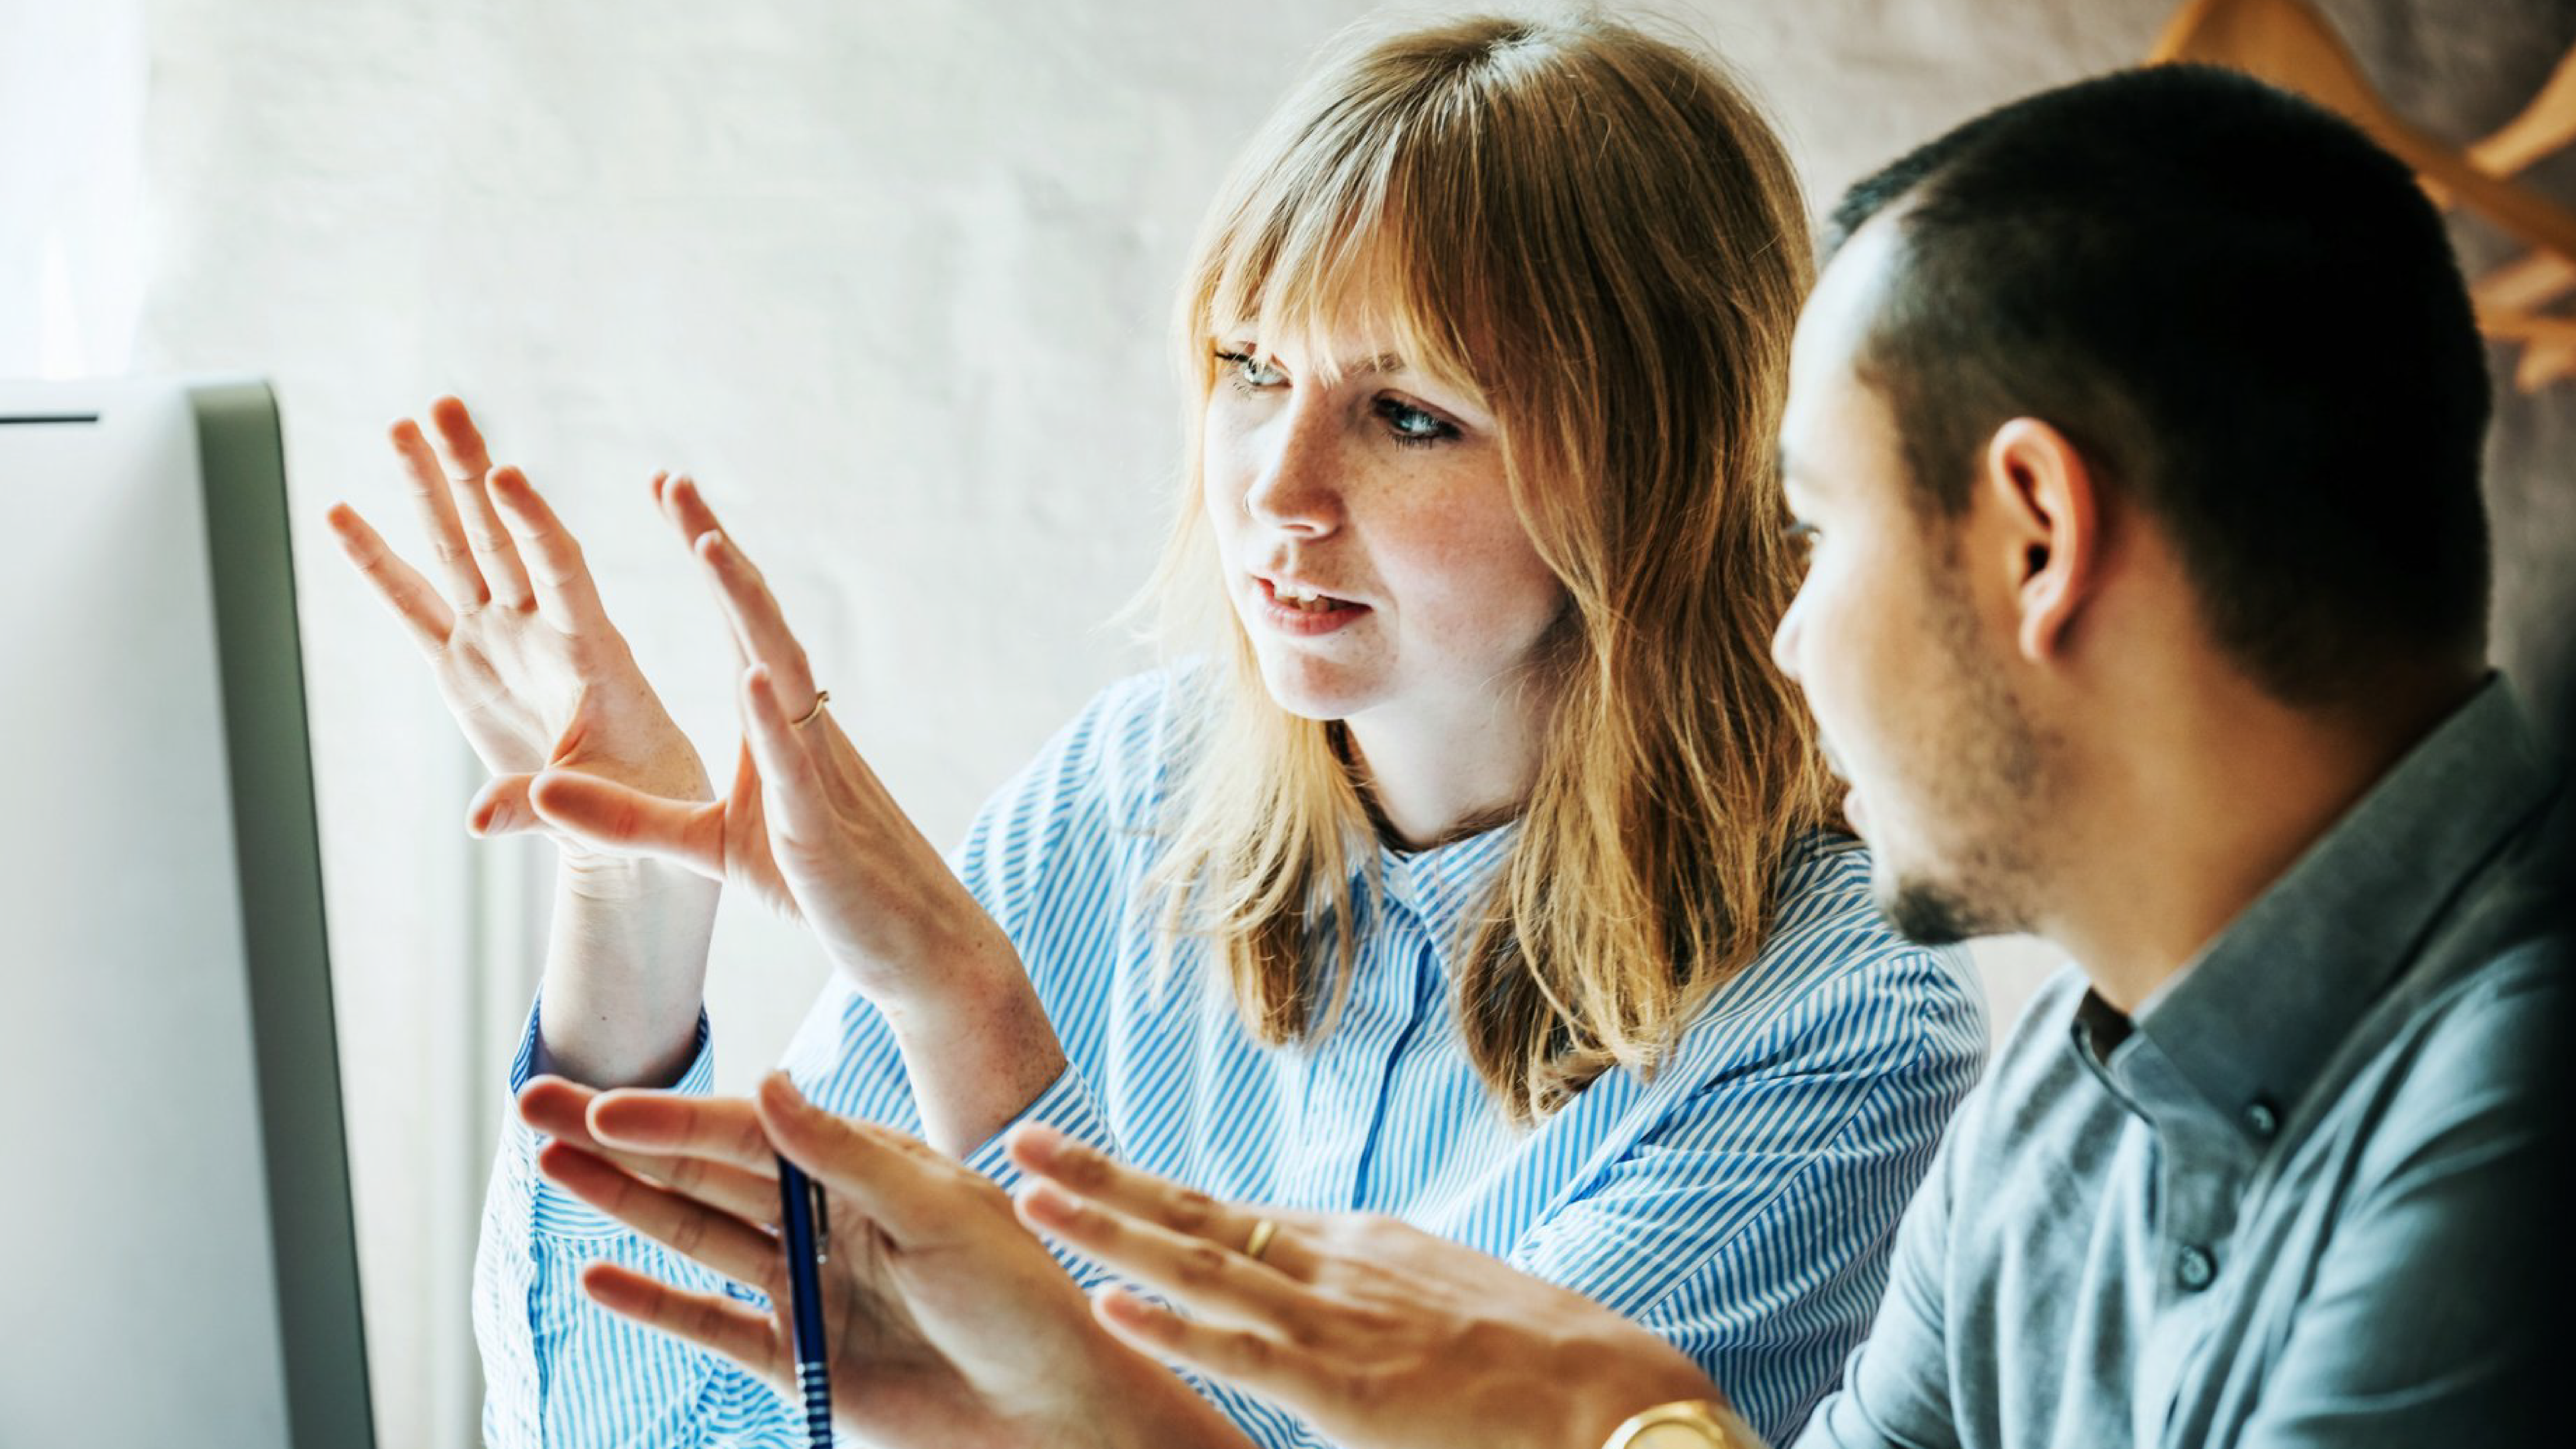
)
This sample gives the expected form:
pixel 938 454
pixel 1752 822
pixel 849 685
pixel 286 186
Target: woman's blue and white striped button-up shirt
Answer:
pixel 1740 1203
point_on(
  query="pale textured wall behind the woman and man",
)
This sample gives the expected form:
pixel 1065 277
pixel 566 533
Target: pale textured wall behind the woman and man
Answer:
pixel 893 282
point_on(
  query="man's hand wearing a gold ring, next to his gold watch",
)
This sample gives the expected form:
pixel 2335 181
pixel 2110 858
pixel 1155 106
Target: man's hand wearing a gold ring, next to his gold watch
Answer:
pixel 1364 1327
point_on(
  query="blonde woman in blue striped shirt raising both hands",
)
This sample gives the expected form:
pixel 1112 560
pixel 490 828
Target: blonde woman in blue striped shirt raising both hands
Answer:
pixel 1475 874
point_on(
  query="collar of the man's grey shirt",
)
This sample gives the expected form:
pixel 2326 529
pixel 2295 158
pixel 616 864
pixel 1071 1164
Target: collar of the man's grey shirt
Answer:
pixel 2260 1013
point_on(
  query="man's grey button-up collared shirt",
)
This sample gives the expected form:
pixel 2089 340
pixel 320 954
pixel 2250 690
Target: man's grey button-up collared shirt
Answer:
pixel 2299 1201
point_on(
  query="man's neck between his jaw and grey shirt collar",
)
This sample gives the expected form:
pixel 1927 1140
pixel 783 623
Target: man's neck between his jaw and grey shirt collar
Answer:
pixel 2204 809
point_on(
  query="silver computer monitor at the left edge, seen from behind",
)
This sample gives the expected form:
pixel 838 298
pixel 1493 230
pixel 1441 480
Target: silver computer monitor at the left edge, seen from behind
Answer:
pixel 174 1214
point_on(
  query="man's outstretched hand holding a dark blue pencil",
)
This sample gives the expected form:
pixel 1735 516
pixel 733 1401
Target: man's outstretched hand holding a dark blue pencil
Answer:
pixel 947 1322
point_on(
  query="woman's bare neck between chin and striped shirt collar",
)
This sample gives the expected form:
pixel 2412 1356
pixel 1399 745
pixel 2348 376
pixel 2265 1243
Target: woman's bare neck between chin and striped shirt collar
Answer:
pixel 1441 773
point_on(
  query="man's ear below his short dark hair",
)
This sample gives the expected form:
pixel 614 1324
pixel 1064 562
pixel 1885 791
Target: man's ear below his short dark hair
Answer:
pixel 2049 526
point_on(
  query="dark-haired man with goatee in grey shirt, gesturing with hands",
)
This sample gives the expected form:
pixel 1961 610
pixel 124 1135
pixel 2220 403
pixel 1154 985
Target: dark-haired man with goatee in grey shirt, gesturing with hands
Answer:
pixel 2137 439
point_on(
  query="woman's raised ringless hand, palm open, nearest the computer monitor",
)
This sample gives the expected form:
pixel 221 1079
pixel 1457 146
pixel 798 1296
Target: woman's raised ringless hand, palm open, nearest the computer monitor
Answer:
pixel 514 632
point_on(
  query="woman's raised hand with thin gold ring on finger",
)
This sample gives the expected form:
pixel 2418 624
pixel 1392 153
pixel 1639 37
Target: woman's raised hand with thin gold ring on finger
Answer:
pixel 810 830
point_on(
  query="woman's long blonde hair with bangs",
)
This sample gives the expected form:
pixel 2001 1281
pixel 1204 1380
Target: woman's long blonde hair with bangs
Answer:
pixel 1604 241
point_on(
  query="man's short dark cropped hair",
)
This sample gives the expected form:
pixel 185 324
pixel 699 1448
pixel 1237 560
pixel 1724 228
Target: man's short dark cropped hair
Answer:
pixel 2242 313
